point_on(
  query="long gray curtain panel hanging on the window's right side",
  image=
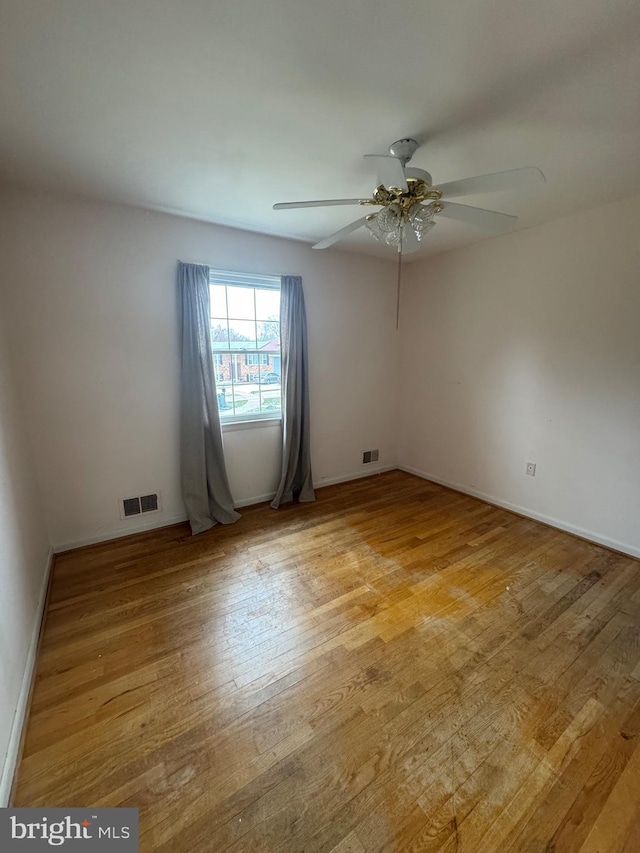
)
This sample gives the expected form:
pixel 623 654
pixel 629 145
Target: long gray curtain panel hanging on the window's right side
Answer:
pixel 295 482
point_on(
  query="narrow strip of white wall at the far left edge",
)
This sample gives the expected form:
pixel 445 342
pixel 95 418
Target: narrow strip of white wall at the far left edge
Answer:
pixel 24 560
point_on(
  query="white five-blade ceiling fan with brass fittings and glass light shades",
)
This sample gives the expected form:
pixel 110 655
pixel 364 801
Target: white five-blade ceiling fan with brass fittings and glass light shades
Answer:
pixel 410 203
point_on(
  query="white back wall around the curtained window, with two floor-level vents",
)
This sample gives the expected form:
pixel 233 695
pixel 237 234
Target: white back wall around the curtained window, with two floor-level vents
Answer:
pixel 94 337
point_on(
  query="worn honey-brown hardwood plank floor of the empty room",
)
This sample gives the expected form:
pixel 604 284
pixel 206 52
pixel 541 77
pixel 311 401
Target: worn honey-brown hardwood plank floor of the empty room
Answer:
pixel 395 667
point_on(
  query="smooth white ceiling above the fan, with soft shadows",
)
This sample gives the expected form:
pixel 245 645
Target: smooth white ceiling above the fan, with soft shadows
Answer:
pixel 217 110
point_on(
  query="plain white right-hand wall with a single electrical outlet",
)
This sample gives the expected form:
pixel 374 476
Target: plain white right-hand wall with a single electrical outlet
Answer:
pixel 527 348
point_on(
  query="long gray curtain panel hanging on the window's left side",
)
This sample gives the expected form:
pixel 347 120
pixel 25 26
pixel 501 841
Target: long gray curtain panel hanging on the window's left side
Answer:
pixel 205 487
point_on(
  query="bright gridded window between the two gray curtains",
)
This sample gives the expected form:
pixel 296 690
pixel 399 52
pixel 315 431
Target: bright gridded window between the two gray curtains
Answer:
pixel 245 338
